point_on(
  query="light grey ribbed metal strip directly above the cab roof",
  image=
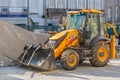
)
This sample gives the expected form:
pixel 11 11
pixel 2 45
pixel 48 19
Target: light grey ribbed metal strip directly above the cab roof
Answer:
pixel 75 4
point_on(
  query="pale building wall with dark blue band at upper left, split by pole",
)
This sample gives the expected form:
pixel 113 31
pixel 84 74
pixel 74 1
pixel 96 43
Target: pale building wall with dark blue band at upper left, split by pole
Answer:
pixel 15 11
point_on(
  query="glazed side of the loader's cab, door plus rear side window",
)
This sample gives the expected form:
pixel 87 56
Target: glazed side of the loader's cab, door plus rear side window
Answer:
pixel 93 27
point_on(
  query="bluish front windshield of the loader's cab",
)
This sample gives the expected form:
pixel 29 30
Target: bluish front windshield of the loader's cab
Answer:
pixel 75 21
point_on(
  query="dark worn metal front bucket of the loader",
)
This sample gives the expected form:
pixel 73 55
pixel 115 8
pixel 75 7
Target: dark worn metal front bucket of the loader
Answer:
pixel 37 57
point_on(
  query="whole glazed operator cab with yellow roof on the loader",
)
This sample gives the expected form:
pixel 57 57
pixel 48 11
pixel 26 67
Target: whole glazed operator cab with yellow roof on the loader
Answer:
pixel 88 22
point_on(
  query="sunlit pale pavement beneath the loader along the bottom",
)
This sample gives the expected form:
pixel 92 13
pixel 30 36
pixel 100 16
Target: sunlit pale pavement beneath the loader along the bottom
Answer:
pixel 83 72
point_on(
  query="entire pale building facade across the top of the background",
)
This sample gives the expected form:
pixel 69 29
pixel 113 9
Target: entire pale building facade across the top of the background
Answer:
pixel 49 11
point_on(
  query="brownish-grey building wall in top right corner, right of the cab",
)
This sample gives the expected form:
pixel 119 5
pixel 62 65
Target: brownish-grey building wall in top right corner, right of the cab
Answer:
pixel 112 10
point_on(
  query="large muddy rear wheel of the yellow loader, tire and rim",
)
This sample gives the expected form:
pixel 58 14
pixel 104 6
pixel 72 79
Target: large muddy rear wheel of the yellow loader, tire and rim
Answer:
pixel 100 58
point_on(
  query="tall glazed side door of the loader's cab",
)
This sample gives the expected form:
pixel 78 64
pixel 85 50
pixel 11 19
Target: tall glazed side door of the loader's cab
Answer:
pixel 92 27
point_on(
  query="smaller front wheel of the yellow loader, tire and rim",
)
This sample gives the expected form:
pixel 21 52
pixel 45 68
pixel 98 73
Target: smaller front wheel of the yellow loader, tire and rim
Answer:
pixel 67 62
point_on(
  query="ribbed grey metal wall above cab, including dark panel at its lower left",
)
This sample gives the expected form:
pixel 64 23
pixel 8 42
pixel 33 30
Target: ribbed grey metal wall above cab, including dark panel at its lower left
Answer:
pixel 59 7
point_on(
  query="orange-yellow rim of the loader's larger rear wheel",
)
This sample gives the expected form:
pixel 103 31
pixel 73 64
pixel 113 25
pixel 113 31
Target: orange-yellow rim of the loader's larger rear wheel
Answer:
pixel 102 54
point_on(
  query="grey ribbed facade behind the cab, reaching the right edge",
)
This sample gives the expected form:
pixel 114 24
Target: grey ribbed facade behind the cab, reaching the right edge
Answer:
pixel 111 8
